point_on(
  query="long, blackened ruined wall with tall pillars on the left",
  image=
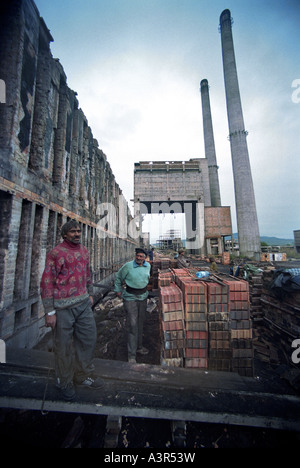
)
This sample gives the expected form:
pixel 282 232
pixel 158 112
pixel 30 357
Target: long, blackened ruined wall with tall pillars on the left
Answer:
pixel 51 170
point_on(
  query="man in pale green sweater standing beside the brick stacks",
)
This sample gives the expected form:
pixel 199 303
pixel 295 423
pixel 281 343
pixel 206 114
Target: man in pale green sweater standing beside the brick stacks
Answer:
pixel 134 275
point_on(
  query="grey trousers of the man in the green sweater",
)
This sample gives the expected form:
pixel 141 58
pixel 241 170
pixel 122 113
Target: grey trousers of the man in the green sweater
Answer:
pixel 136 312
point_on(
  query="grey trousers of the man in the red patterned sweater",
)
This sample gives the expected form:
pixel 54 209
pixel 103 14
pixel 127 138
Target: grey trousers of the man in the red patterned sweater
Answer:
pixel 75 338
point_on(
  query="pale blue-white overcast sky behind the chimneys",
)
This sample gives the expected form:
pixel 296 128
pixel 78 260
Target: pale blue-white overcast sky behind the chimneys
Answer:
pixel 137 65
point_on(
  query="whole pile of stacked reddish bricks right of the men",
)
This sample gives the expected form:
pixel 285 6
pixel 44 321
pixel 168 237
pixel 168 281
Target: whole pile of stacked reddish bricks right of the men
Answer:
pixel 206 324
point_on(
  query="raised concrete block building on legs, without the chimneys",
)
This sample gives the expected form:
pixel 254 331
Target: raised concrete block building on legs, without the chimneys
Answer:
pixel 183 187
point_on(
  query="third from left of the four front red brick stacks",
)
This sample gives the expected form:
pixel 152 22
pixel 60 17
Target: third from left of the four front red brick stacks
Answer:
pixel 220 353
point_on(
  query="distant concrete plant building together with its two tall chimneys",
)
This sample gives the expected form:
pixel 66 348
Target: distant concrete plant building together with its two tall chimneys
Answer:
pixel 192 187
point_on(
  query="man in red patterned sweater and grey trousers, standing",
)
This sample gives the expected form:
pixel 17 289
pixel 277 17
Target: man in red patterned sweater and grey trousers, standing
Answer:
pixel 66 291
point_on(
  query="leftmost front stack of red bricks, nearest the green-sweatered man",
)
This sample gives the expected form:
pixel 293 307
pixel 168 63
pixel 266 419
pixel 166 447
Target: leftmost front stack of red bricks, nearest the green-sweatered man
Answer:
pixel 172 325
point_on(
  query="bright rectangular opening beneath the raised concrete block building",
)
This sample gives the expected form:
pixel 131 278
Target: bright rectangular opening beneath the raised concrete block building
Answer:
pixel 166 230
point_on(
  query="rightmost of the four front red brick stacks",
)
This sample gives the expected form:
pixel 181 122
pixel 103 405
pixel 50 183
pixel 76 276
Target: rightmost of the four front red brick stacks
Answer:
pixel 241 327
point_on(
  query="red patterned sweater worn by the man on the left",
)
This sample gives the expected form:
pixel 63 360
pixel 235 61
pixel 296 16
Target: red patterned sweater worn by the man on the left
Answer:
pixel 66 280
